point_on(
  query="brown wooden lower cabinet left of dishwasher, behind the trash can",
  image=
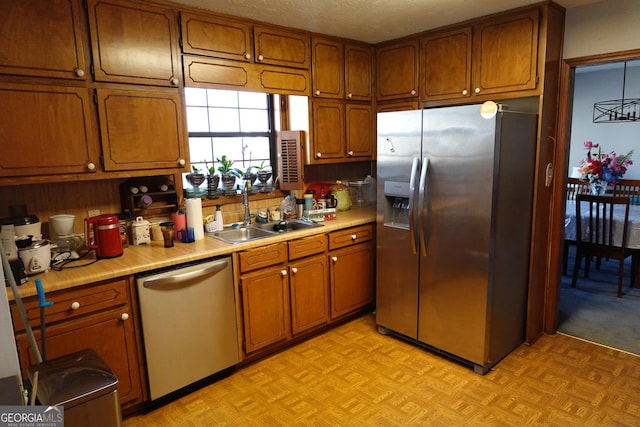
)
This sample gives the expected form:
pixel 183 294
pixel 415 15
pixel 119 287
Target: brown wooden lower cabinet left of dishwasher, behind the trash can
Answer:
pixel 99 317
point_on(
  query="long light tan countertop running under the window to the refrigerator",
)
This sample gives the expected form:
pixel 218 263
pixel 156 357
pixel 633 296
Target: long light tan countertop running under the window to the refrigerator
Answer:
pixel 136 259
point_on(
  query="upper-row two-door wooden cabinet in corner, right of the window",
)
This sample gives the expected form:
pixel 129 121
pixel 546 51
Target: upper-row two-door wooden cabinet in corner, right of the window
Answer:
pixel 341 71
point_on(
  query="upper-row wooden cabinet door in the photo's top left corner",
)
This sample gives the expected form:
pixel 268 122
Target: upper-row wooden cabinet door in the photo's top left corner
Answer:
pixel 42 38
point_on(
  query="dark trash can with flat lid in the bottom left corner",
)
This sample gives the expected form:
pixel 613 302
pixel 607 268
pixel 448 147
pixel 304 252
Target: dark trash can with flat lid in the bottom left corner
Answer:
pixel 84 384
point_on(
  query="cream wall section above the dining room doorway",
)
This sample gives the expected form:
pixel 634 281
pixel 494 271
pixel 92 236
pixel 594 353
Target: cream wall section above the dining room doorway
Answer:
pixel 603 27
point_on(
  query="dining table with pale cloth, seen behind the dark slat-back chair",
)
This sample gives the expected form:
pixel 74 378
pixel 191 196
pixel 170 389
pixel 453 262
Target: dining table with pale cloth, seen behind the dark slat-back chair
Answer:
pixel 633 227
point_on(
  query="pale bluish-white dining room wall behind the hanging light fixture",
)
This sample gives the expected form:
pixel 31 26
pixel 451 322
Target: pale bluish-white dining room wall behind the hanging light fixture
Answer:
pixel 593 86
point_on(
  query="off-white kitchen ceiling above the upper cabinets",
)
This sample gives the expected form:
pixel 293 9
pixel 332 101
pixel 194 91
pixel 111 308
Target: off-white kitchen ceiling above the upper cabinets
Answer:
pixel 371 21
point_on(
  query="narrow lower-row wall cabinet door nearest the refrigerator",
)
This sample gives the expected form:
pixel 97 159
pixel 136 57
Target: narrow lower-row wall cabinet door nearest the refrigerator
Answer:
pixel 360 138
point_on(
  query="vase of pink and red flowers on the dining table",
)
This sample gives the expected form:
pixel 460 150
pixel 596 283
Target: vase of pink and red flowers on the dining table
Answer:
pixel 601 170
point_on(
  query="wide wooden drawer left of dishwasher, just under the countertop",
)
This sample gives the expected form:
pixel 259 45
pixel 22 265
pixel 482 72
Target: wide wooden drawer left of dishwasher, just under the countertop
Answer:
pixel 73 303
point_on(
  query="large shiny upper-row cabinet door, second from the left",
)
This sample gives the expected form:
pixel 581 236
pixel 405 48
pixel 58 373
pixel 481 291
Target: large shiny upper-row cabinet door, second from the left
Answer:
pixel 134 42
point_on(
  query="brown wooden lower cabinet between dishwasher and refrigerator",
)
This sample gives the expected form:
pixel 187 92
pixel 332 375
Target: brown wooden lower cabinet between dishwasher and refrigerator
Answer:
pixel 285 298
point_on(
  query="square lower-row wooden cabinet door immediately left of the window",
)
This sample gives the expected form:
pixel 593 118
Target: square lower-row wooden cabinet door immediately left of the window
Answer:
pixel 141 129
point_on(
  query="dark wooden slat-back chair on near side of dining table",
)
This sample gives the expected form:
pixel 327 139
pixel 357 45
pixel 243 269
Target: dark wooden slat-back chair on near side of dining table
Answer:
pixel 595 233
